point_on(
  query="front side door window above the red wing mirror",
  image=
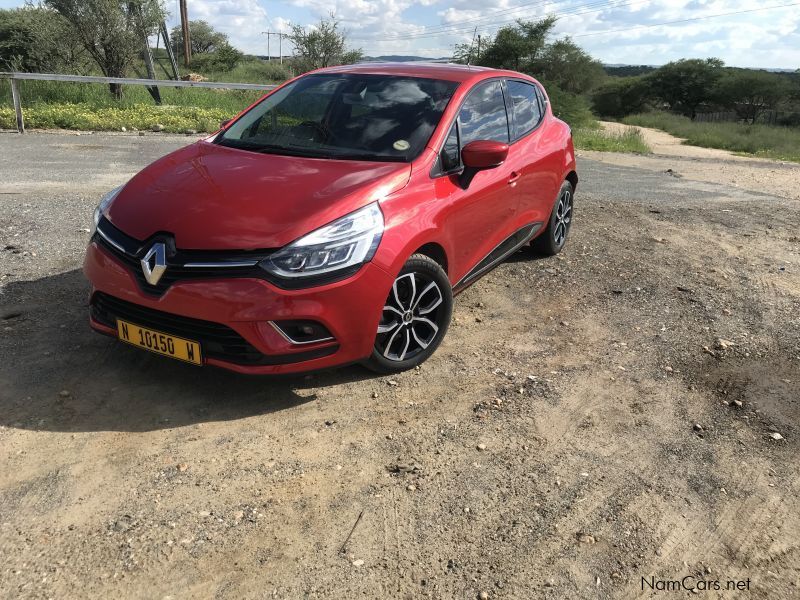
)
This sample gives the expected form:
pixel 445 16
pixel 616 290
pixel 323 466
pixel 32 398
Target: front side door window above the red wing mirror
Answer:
pixel 483 116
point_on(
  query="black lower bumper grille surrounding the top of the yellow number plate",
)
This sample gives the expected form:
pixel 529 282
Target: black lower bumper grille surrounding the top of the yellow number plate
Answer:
pixel 217 341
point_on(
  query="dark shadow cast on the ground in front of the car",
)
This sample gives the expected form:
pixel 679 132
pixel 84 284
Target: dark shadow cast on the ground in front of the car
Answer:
pixel 57 374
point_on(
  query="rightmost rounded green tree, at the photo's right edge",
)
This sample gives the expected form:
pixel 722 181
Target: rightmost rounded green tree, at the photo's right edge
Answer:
pixel 750 93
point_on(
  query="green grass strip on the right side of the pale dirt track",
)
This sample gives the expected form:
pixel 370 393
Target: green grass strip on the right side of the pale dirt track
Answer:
pixel 767 141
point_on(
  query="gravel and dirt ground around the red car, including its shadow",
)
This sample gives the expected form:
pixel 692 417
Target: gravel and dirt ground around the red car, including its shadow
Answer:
pixel 627 411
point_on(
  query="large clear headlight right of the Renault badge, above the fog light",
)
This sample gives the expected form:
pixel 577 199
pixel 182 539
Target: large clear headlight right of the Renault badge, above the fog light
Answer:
pixel 345 243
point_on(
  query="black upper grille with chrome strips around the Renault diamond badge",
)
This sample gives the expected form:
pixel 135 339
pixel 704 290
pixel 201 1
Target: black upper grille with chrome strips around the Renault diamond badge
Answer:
pixel 130 251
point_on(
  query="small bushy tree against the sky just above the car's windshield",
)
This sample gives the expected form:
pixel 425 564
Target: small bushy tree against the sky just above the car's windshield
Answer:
pixel 322 46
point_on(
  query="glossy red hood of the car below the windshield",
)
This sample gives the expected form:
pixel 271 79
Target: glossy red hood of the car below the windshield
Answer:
pixel 215 198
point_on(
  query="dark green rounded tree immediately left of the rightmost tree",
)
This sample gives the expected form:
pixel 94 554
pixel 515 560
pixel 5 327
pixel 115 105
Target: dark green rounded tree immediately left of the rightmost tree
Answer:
pixel 685 85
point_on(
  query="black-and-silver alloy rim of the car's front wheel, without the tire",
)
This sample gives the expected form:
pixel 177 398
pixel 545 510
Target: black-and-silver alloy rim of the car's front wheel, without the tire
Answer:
pixel 411 317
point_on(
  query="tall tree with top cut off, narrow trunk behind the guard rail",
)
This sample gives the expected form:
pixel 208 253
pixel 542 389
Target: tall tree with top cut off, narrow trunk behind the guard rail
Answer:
pixel 113 32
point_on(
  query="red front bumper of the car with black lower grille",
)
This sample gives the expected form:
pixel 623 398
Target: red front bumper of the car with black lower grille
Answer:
pixel 231 316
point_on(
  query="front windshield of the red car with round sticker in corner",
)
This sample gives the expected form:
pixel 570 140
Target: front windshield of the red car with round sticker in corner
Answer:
pixel 344 116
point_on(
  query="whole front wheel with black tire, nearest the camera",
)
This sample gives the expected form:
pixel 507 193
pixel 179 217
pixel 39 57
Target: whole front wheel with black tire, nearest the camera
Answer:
pixel 416 316
